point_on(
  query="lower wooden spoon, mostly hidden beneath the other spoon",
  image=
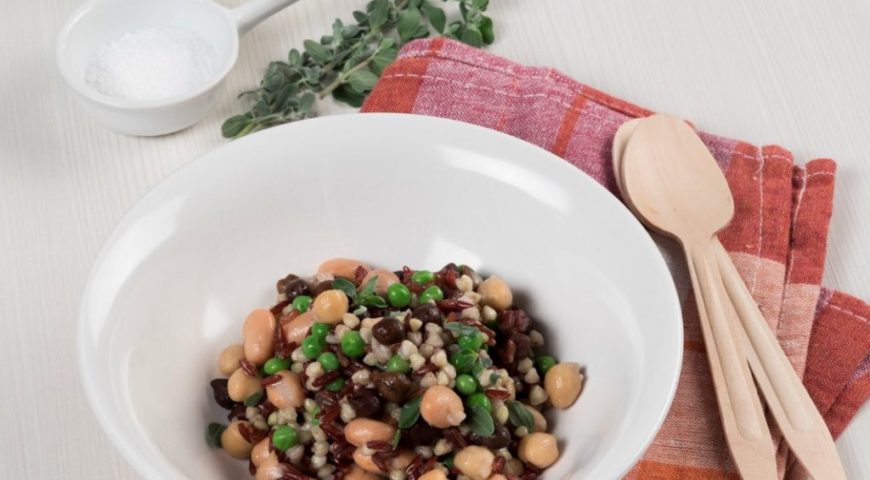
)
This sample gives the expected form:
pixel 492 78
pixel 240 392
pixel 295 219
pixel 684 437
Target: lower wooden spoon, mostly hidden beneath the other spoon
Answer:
pixel 792 407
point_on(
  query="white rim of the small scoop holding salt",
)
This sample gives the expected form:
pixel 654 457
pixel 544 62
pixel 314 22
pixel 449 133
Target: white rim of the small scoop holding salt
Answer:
pixel 81 88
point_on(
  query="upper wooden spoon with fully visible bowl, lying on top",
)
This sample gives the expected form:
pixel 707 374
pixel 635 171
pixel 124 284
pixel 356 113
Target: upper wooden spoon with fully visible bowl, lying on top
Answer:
pixel 676 188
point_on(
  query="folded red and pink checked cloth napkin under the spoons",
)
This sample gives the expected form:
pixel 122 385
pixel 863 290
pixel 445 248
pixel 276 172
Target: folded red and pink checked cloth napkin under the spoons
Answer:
pixel 777 238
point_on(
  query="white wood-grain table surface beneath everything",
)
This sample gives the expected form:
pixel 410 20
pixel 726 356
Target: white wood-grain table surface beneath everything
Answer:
pixel 793 73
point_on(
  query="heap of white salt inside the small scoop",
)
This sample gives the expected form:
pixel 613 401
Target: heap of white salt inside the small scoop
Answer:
pixel 152 64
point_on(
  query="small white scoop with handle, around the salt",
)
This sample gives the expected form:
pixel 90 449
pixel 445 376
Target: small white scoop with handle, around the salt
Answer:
pixel 99 22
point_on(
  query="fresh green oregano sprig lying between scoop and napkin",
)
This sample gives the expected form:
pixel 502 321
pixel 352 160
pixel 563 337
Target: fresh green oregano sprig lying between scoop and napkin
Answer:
pixel 348 63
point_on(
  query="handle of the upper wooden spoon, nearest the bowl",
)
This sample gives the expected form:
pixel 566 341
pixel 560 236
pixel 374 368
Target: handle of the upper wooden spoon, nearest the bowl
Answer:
pixel 739 405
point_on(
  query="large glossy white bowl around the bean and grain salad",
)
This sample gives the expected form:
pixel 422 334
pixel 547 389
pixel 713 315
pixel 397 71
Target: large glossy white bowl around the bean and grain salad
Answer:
pixel 178 275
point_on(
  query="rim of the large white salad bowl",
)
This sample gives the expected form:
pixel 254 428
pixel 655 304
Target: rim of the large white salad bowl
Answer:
pixel 149 469
